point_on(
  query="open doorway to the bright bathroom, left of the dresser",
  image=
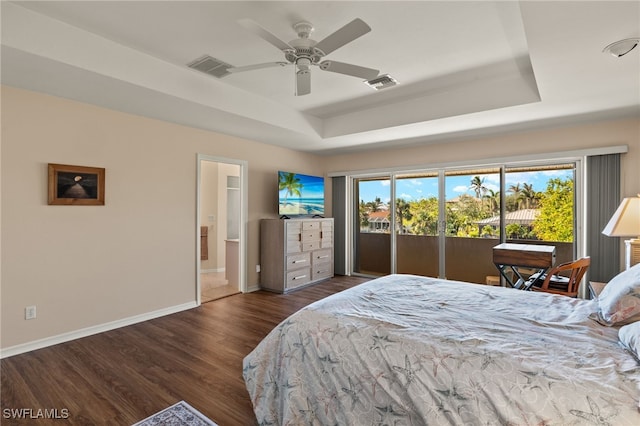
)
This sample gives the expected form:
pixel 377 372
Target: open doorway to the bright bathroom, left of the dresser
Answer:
pixel 221 212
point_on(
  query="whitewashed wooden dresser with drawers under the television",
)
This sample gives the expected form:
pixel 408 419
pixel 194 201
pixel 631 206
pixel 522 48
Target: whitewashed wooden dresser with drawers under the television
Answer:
pixel 295 252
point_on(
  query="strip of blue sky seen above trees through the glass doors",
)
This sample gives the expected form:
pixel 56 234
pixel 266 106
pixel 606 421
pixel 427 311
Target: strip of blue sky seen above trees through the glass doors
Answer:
pixel 417 188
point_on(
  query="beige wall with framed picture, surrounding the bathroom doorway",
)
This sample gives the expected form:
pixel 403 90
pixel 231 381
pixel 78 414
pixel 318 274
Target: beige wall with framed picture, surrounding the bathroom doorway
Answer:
pixel 84 266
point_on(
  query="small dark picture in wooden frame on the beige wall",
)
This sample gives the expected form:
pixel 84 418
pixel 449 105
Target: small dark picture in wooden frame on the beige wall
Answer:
pixel 76 185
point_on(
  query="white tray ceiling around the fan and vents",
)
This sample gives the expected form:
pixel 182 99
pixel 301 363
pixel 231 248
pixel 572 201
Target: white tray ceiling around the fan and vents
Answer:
pixel 464 68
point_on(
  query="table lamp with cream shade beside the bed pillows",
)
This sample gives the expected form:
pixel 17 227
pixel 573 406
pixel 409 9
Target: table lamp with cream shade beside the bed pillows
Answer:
pixel 625 222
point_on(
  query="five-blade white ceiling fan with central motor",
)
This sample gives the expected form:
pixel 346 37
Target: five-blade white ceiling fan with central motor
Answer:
pixel 304 52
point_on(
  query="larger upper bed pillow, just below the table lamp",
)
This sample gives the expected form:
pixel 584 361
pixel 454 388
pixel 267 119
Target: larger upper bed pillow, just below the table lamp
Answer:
pixel 620 299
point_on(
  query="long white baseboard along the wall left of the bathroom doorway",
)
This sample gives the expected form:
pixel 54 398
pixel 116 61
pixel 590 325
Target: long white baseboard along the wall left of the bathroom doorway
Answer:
pixel 72 335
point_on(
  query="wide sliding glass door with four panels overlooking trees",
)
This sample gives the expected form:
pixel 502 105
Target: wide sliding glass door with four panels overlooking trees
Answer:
pixel 445 223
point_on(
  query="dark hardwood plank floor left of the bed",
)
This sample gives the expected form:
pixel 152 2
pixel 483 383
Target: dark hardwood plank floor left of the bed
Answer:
pixel 122 376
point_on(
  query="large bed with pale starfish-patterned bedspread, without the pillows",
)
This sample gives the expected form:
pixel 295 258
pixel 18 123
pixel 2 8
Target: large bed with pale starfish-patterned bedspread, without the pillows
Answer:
pixel 410 350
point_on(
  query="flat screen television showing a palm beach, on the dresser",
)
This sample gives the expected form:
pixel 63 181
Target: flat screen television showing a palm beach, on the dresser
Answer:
pixel 300 195
